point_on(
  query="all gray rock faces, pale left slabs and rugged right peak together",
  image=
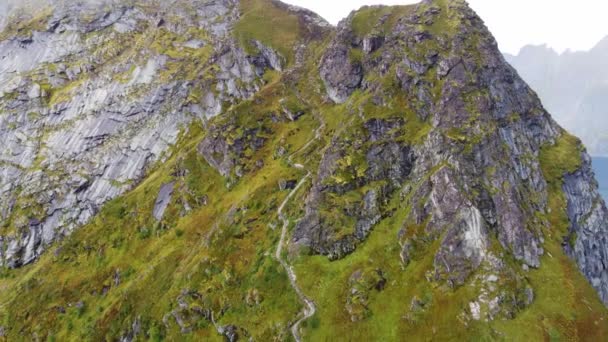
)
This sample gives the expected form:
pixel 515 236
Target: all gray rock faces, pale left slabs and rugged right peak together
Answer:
pixel 444 140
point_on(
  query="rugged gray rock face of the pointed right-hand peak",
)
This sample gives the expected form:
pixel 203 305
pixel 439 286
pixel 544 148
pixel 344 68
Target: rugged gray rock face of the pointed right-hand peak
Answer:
pixel 473 179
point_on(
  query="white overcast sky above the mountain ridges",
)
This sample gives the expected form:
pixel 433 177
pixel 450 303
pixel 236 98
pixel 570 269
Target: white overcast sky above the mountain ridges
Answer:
pixel 561 24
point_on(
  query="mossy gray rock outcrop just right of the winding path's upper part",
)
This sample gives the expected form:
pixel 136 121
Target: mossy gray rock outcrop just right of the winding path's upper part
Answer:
pixel 388 161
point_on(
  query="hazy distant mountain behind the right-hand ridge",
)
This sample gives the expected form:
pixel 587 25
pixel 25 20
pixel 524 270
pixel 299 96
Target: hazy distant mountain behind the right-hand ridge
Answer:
pixel 574 88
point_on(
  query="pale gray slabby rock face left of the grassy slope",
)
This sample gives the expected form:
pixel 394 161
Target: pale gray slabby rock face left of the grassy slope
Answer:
pixel 88 105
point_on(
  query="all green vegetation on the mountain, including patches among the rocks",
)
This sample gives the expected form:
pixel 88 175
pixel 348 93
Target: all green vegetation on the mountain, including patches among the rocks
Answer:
pixel 213 250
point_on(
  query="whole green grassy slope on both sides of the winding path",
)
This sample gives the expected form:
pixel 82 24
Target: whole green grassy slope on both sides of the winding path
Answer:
pixel 158 261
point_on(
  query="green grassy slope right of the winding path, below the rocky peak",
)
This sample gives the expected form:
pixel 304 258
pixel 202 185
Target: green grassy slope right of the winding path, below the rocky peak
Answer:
pixel 565 308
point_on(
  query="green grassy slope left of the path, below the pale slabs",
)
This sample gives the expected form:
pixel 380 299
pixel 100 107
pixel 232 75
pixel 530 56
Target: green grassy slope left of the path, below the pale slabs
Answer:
pixel 158 261
